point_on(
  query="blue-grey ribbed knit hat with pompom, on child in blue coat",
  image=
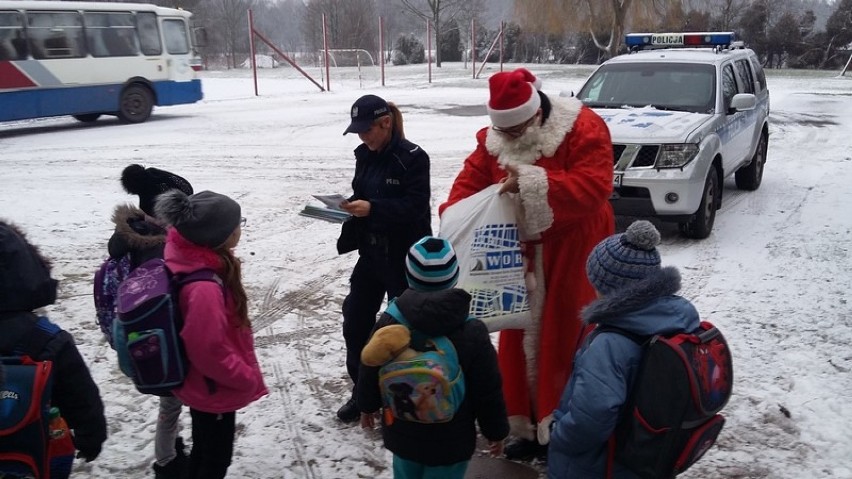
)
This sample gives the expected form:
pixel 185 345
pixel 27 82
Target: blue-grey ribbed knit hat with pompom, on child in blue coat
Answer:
pixel 622 259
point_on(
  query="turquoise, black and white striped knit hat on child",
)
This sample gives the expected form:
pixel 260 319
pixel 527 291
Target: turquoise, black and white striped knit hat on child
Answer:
pixel 431 265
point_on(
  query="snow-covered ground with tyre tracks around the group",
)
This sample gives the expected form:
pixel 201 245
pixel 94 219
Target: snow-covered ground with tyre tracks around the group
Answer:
pixel 775 275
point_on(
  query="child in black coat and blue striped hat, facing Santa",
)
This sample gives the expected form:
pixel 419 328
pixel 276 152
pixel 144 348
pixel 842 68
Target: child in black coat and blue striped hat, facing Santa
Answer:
pixel 433 307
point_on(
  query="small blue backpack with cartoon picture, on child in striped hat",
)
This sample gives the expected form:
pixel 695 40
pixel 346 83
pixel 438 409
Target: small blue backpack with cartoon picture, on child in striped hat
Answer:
pixel 426 388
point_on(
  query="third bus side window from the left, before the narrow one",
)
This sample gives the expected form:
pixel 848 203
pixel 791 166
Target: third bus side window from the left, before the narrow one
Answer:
pixel 111 34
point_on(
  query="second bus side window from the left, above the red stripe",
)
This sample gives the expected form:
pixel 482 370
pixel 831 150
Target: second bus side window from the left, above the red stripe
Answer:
pixel 55 35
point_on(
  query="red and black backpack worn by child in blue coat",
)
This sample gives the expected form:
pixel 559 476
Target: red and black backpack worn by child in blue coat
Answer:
pixel 671 417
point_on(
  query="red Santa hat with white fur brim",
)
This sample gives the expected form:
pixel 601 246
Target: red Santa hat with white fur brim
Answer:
pixel 514 97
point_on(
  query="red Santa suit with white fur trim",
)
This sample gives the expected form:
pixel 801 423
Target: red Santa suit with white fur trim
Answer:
pixel 565 181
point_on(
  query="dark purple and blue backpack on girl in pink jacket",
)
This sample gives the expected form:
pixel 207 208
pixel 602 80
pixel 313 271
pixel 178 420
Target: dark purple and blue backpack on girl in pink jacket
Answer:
pixel 147 331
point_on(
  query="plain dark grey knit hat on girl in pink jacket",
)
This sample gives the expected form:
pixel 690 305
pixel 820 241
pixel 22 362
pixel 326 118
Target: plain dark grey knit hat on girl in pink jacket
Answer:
pixel 205 218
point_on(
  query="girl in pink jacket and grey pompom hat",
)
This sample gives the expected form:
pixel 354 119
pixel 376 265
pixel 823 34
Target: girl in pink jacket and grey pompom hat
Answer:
pixel 223 374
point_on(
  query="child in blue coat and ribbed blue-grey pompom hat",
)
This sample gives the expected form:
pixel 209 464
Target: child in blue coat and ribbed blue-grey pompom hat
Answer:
pixel 635 295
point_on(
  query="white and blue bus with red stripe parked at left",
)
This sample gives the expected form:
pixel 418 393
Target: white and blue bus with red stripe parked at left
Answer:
pixel 89 59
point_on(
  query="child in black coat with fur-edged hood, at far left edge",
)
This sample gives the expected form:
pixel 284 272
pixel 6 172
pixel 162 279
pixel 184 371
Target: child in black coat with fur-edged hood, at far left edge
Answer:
pixel 26 286
